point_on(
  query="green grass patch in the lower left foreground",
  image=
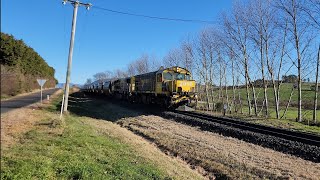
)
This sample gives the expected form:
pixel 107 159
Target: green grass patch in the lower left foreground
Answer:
pixel 78 152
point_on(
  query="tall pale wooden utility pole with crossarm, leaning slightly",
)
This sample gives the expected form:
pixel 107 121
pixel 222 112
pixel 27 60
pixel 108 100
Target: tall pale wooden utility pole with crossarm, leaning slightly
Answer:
pixel 73 31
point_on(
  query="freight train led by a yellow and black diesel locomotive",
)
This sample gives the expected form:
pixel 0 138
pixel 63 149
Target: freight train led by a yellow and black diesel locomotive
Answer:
pixel 170 87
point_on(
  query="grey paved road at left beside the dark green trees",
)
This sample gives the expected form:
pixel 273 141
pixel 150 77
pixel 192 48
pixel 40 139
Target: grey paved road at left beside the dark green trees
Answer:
pixel 22 101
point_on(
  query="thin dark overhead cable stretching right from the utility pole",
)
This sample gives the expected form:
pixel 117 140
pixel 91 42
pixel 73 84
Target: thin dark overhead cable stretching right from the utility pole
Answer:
pixel 155 17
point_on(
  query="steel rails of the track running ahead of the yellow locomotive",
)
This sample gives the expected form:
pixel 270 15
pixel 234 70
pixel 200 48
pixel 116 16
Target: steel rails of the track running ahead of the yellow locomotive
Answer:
pixel 306 138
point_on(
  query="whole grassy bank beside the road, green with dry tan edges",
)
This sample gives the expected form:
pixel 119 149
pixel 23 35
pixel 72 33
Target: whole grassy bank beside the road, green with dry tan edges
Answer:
pixel 76 149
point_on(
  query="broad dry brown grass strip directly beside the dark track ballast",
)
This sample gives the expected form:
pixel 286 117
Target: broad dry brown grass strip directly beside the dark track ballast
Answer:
pixel 218 156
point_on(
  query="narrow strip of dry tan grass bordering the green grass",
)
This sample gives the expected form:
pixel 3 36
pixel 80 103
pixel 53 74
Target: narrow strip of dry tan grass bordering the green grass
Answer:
pixel 174 167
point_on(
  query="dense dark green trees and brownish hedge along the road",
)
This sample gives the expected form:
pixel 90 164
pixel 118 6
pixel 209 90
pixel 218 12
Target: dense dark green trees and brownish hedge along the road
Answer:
pixel 21 65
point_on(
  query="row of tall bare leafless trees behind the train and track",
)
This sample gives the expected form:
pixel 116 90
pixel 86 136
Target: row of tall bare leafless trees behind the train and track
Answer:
pixel 273 41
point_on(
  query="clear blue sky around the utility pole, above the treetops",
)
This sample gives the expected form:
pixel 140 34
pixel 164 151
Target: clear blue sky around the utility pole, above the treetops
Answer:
pixel 104 40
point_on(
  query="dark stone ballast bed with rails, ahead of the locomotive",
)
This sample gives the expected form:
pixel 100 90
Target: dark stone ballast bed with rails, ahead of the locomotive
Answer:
pixel 304 145
